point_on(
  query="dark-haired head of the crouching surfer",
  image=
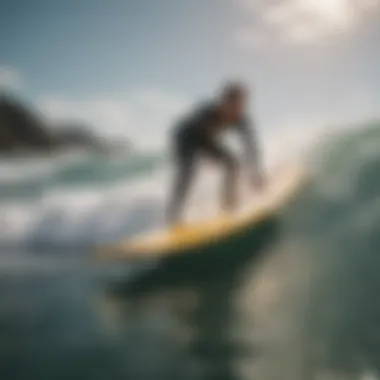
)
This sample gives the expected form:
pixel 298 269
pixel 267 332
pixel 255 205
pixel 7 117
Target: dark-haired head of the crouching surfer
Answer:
pixel 233 98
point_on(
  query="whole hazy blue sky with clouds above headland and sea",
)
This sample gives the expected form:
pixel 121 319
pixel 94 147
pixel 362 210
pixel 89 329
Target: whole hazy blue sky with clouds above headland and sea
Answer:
pixel 129 67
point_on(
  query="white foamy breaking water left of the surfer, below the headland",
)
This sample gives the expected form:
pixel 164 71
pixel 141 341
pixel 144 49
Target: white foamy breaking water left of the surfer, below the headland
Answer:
pixel 75 200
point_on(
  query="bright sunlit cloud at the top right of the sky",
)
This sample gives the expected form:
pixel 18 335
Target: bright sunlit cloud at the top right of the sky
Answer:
pixel 300 21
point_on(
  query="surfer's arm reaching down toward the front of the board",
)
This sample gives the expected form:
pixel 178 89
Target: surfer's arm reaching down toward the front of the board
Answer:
pixel 252 154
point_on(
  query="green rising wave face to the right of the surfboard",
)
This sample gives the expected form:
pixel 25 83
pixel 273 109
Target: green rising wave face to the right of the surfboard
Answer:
pixel 314 299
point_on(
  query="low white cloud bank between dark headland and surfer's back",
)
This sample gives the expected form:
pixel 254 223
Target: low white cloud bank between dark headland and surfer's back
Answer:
pixel 143 115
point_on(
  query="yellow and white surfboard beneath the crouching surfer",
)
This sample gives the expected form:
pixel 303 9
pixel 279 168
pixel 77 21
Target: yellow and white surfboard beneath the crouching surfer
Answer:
pixel 165 242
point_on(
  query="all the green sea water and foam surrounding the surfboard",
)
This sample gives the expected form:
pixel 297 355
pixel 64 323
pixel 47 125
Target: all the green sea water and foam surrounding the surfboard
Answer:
pixel 296 299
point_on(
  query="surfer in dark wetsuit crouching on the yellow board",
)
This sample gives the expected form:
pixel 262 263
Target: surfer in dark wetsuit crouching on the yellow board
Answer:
pixel 196 135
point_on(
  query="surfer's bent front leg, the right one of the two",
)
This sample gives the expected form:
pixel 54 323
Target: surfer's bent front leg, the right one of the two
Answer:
pixel 229 187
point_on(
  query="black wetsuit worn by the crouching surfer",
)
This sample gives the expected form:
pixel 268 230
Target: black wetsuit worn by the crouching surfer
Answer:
pixel 196 136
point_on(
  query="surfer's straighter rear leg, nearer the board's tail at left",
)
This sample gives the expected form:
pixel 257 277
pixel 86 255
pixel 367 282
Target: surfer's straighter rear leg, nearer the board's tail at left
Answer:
pixel 184 162
